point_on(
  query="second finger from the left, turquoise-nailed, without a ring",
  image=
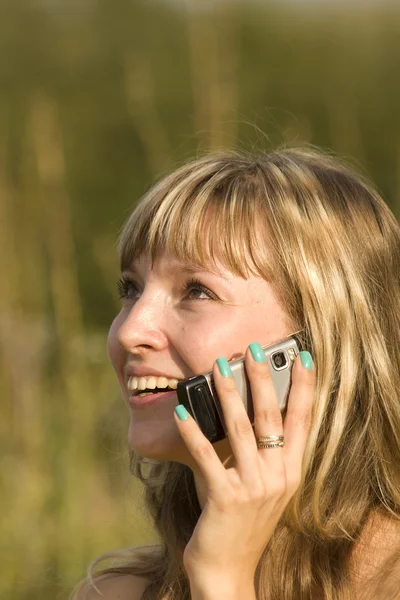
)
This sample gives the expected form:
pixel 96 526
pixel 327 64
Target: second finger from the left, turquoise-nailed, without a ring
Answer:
pixel 238 425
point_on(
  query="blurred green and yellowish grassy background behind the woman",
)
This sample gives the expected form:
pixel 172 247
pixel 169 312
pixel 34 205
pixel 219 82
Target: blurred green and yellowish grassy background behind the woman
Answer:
pixel 97 100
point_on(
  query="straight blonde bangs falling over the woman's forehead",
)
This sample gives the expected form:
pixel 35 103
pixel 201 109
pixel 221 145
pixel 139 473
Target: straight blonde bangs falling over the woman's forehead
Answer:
pixel 202 217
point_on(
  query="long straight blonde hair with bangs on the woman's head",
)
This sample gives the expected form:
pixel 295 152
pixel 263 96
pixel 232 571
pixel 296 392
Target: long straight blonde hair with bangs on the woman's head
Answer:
pixel 332 253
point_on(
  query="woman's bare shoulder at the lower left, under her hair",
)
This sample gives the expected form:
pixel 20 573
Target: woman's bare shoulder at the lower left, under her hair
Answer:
pixel 116 587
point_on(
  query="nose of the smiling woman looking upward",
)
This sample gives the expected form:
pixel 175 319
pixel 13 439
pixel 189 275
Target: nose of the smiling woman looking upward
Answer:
pixel 143 328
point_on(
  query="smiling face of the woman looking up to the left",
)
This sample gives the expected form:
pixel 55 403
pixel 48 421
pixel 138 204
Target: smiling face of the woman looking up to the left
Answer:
pixel 172 327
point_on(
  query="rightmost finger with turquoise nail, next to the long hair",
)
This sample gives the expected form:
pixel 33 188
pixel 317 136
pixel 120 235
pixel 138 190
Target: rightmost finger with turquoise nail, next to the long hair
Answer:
pixel 298 416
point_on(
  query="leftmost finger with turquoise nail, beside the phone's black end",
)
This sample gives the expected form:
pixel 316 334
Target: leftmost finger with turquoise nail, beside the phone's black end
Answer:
pixel 200 448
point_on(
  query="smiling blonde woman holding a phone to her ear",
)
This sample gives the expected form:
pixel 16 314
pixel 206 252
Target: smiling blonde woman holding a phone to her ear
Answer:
pixel 228 253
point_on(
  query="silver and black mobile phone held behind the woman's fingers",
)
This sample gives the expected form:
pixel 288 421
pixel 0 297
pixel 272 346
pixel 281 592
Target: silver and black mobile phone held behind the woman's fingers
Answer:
pixel 199 396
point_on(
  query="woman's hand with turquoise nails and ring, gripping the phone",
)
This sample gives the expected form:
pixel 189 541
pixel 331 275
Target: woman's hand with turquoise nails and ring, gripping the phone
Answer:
pixel 244 503
